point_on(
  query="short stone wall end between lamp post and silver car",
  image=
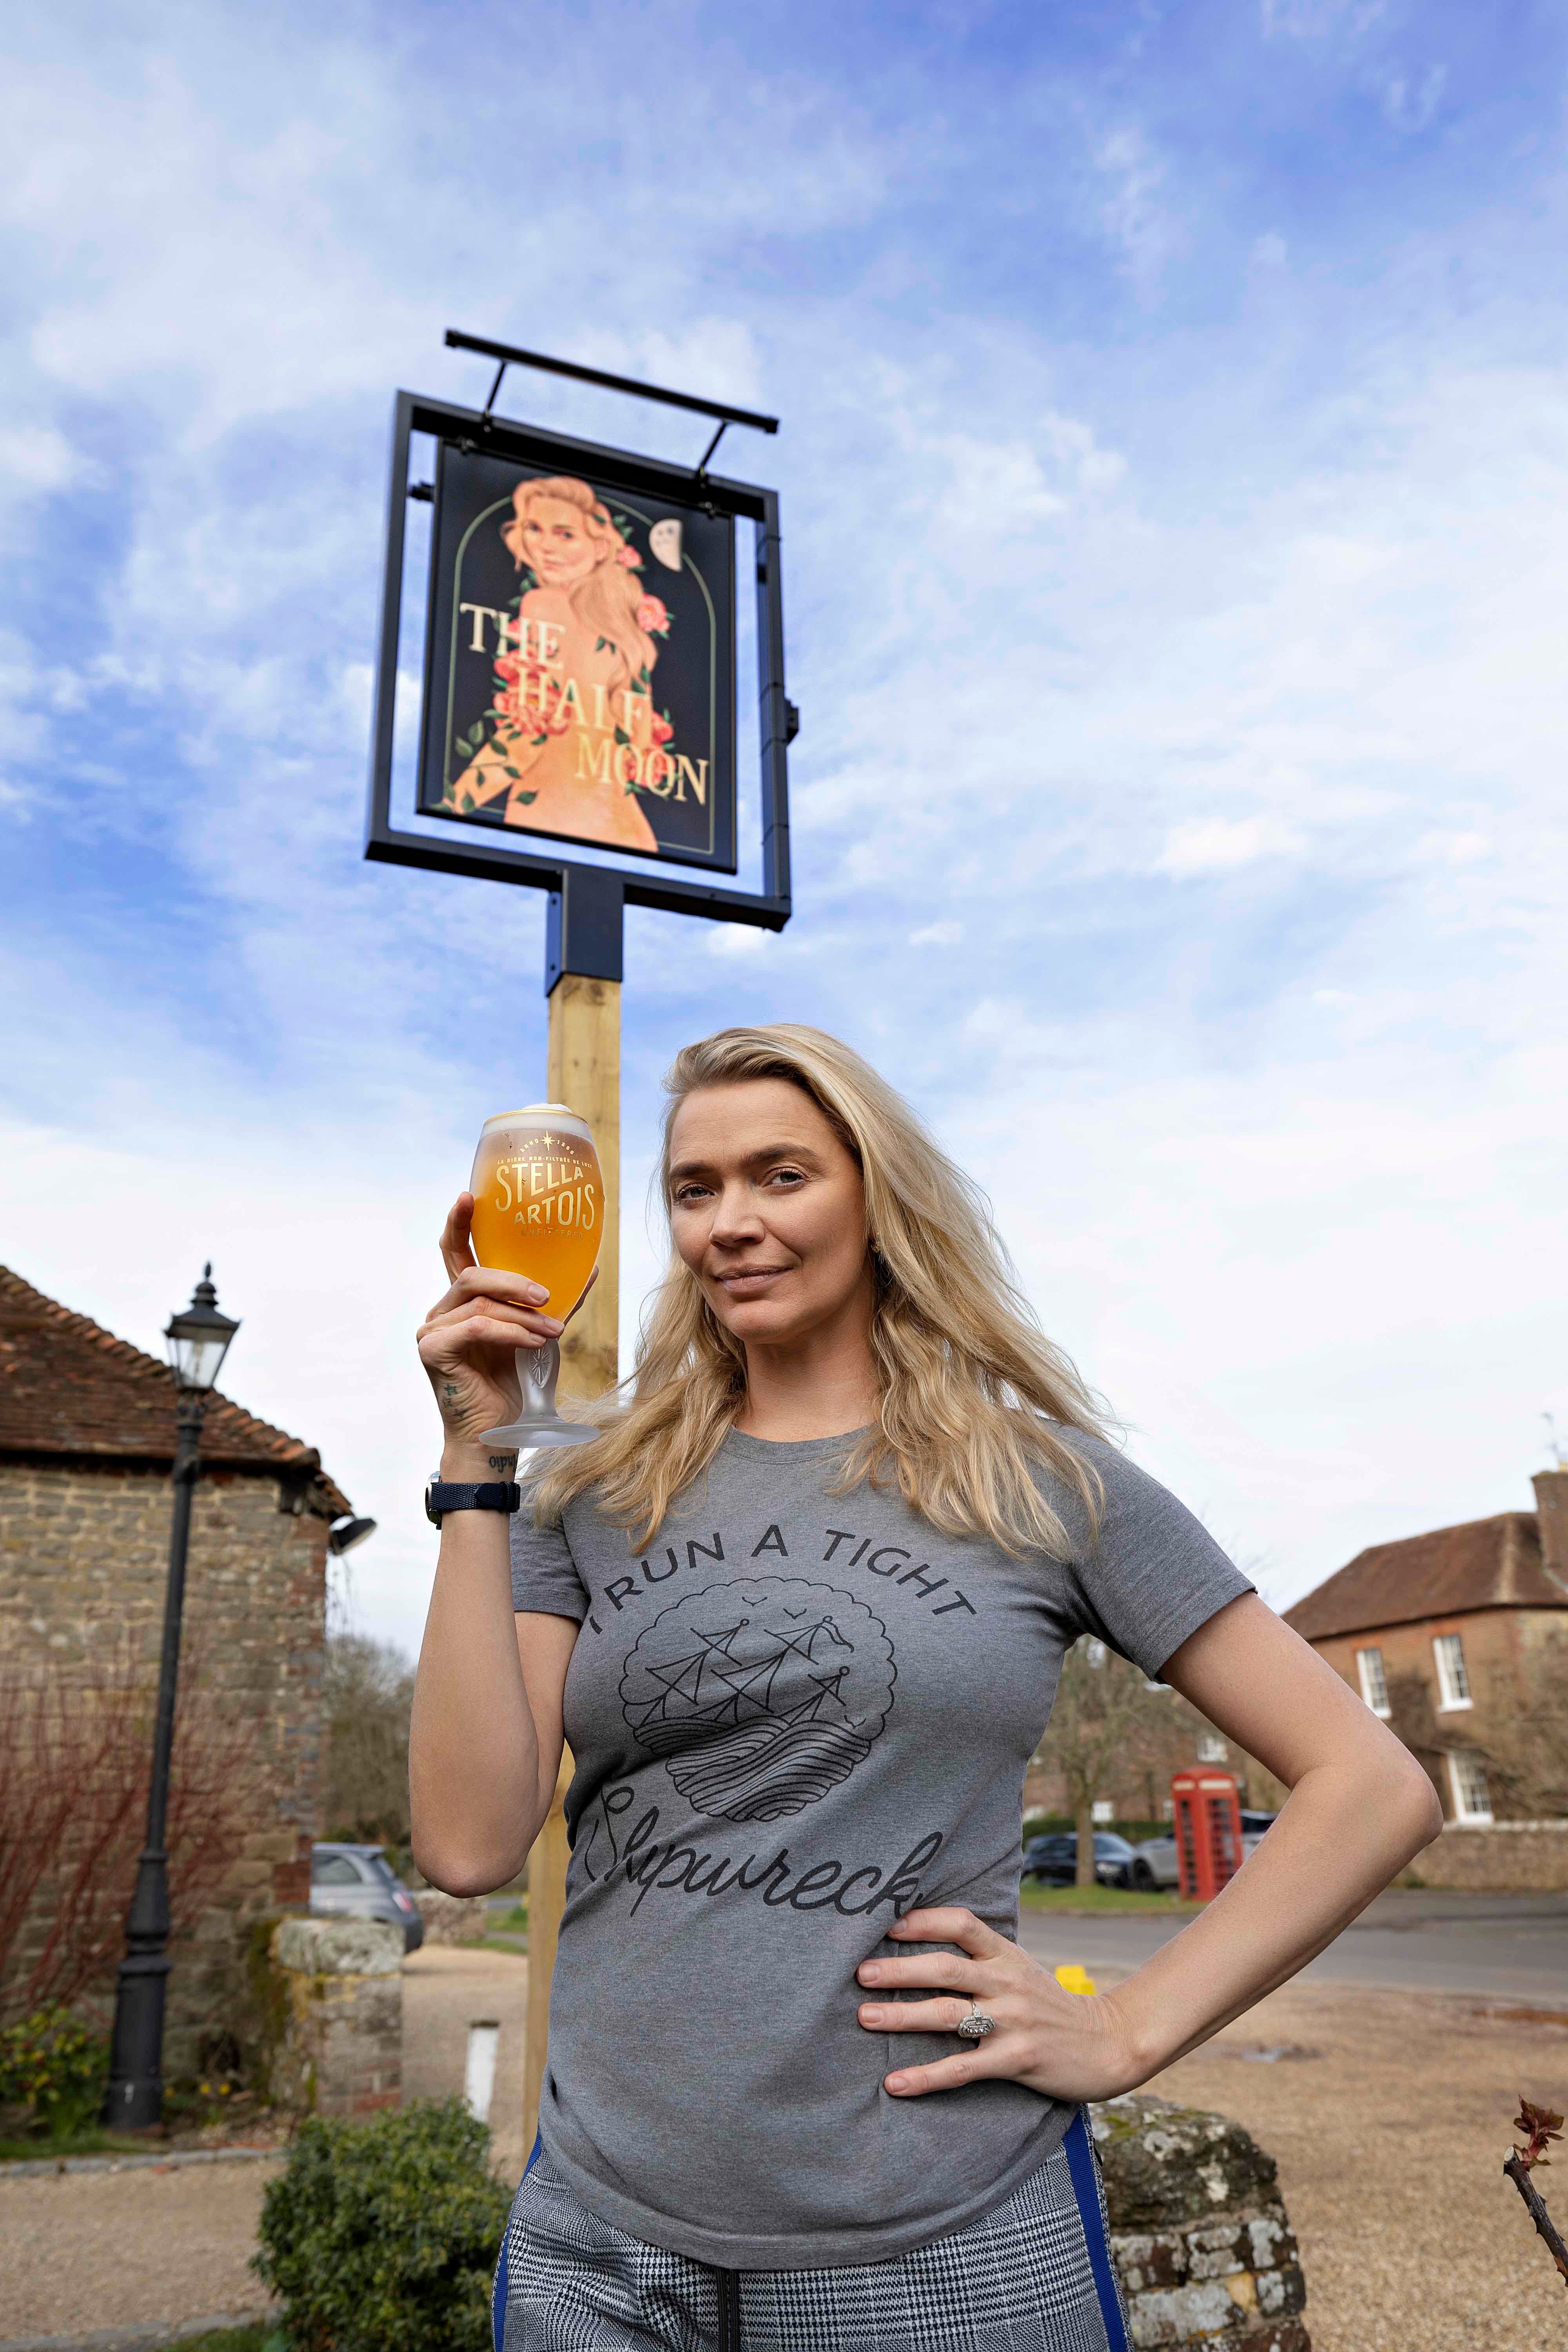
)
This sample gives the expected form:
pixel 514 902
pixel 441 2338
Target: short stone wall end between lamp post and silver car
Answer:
pixel 337 2022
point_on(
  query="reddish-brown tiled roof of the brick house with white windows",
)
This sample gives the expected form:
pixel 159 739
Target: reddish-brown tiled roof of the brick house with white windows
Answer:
pixel 1482 1565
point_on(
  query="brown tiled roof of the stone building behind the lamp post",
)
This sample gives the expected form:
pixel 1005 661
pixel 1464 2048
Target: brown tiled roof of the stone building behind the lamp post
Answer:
pixel 67 1387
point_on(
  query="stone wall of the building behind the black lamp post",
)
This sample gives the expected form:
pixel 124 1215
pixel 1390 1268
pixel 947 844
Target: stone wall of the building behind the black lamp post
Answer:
pixel 83 1572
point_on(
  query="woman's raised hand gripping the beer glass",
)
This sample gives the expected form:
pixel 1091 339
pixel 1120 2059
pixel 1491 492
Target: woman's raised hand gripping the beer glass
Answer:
pixel 471 1335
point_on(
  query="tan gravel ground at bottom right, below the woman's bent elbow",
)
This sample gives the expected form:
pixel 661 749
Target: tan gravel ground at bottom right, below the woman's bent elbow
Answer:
pixel 1391 2158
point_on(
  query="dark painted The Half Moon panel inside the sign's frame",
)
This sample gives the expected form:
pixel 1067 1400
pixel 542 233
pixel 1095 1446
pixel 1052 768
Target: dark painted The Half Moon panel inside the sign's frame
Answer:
pixel 582 660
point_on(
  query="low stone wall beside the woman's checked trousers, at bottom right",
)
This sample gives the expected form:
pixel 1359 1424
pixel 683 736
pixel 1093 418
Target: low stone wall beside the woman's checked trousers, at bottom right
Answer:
pixel 1198 2231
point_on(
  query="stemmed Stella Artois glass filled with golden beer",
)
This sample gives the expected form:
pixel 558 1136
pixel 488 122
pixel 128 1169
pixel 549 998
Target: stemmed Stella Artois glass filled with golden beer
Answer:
pixel 540 1212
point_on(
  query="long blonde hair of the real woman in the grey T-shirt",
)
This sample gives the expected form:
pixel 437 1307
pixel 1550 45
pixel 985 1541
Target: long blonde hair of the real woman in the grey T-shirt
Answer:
pixel 974 1396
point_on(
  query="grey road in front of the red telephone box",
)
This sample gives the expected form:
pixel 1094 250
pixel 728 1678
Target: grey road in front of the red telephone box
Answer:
pixel 1419 1942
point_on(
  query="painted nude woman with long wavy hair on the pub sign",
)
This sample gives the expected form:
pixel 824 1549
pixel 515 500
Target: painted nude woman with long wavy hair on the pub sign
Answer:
pixel 575 714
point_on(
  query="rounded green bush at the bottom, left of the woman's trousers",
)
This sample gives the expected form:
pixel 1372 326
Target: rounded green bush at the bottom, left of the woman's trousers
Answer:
pixel 387 2233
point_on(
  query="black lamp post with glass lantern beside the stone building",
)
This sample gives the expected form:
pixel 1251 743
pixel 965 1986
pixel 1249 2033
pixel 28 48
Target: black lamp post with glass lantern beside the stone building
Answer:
pixel 199 1342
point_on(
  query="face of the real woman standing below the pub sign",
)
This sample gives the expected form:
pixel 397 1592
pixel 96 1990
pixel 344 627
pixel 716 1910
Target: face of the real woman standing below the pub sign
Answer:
pixel 768 1210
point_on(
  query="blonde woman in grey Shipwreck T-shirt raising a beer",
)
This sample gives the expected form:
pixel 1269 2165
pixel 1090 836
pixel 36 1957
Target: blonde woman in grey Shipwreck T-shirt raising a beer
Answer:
pixel 800 1610
